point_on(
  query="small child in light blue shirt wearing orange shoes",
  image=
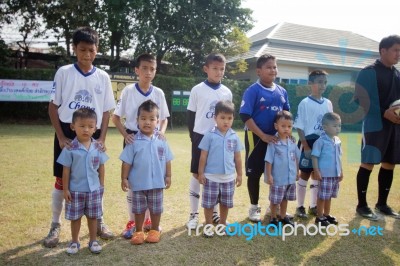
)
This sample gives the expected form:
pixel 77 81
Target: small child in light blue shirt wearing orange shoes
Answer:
pixel 146 170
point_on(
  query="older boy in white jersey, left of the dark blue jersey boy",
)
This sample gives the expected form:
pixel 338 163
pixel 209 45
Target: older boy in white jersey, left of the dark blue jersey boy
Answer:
pixel 200 113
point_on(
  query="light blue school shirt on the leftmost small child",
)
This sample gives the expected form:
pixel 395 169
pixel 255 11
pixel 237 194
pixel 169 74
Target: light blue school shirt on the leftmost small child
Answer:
pixel 84 164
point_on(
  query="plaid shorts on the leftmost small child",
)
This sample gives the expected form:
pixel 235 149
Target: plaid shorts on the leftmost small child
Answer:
pixel 84 203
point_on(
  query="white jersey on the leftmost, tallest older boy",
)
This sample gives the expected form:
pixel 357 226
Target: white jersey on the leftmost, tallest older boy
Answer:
pixel 72 89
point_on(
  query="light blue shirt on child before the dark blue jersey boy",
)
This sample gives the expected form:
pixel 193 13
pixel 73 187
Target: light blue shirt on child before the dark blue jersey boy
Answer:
pixel 283 157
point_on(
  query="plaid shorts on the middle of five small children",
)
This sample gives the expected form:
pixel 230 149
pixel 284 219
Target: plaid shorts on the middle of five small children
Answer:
pixel 215 192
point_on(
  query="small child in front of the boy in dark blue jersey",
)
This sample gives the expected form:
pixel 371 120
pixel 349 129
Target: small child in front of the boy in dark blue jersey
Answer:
pixel 282 168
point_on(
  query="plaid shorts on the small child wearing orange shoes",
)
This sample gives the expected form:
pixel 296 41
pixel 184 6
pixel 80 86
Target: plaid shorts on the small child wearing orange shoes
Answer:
pixel 151 199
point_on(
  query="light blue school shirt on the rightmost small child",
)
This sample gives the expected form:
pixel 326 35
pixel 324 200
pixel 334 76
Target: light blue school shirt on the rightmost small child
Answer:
pixel 329 153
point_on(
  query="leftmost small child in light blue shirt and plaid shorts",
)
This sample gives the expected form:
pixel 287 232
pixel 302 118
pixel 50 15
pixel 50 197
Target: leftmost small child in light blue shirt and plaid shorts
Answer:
pixel 83 178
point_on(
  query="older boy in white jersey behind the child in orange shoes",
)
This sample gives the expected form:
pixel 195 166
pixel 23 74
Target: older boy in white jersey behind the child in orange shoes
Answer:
pixel 132 97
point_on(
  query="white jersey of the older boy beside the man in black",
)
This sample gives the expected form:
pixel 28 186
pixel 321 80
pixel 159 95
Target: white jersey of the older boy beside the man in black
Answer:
pixel 310 113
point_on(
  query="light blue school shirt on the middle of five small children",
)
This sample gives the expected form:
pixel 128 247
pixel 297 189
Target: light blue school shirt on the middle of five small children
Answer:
pixel 221 151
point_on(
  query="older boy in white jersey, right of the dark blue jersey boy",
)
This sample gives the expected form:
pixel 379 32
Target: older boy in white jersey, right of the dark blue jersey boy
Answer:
pixel 308 124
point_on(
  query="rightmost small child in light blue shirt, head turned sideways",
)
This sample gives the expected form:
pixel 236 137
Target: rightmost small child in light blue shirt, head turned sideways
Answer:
pixel 326 157
